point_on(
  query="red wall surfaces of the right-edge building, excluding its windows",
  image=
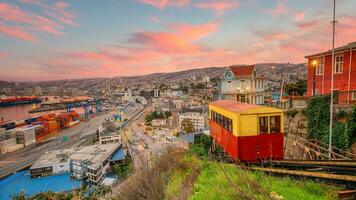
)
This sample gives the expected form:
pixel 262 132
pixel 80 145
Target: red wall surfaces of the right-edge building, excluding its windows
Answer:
pixel 340 80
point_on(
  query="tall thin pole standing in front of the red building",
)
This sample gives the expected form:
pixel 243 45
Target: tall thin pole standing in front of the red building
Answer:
pixel 332 83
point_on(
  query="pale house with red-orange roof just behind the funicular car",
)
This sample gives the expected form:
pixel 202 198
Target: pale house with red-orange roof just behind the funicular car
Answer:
pixel 241 83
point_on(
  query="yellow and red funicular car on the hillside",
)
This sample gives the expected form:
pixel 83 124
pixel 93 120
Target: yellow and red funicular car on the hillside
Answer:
pixel 247 132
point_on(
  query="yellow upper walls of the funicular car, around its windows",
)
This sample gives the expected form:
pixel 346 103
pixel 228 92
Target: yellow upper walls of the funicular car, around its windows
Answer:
pixel 246 122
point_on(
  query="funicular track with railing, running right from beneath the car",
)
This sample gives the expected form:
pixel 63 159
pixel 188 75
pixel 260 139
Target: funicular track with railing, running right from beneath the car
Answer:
pixel 314 163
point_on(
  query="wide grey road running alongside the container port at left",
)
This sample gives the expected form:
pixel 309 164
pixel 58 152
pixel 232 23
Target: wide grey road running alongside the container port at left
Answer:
pixel 15 161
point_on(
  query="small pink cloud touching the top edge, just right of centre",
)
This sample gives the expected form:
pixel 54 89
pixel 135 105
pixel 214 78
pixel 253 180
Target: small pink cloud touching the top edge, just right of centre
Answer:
pixel 218 7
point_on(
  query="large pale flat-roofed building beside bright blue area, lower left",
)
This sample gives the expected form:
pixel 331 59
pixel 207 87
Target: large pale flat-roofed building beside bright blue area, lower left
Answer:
pixel 89 162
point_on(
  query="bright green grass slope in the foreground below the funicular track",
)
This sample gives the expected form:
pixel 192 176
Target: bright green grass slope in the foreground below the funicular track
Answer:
pixel 226 181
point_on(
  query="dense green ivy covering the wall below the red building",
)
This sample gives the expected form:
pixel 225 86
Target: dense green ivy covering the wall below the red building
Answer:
pixel 318 115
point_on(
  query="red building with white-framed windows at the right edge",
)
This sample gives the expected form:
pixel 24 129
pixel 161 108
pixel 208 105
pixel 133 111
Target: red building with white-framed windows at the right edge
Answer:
pixel 319 70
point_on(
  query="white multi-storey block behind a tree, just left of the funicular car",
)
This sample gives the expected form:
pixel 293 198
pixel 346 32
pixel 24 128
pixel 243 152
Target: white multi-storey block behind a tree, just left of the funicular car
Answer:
pixel 196 116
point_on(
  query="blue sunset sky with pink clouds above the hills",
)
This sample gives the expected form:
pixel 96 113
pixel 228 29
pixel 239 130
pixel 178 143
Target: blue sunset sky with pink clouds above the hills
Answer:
pixel 51 40
